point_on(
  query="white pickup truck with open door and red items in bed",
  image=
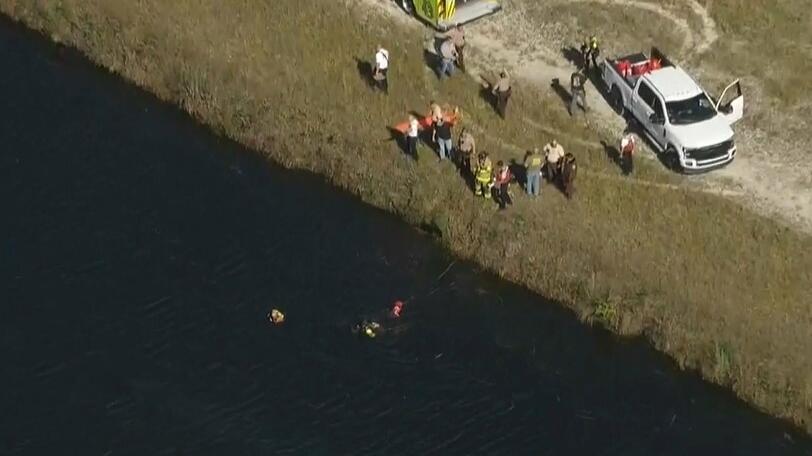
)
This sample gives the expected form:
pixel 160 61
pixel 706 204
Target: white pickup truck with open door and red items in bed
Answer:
pixel 678 116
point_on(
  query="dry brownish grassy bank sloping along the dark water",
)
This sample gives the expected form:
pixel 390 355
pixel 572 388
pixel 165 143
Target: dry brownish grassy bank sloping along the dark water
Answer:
pixel 721 290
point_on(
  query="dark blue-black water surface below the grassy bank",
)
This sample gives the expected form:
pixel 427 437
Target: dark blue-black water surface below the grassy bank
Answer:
pixel 140 255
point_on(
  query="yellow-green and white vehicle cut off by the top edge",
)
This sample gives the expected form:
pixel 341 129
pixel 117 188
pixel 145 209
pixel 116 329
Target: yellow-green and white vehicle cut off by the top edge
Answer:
pixel 445 14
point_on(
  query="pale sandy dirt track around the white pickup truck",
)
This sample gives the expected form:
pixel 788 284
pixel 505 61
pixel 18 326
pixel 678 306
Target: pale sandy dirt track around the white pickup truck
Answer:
pixel 770 174
